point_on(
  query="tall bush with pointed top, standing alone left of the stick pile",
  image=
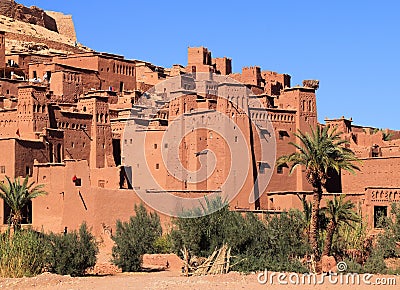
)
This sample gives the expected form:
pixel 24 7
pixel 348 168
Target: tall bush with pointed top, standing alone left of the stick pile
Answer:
pixel 135 238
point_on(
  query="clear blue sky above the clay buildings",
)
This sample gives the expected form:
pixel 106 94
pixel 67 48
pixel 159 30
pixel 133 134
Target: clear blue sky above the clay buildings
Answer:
pixel 352 47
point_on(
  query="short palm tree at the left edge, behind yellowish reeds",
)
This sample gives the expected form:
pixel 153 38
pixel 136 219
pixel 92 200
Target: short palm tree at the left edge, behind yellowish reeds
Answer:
pixel 17 196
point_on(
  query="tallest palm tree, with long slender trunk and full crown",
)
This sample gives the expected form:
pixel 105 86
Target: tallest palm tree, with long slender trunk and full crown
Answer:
pixel 319 152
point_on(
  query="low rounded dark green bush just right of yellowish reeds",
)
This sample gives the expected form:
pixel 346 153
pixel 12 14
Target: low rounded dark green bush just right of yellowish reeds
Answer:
pixel 72 253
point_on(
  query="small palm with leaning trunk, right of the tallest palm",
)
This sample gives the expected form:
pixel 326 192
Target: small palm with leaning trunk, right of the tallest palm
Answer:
pixel 338 211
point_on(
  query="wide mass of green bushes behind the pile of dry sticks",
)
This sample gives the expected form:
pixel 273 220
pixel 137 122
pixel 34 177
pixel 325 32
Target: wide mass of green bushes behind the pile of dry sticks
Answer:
pixel 275 243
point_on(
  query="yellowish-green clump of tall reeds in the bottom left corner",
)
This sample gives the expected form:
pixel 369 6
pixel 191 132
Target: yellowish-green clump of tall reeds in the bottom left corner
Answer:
pixel 21 254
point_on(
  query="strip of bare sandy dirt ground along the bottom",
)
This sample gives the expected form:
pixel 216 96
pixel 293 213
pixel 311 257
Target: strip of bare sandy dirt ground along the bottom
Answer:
pixel 170 280
